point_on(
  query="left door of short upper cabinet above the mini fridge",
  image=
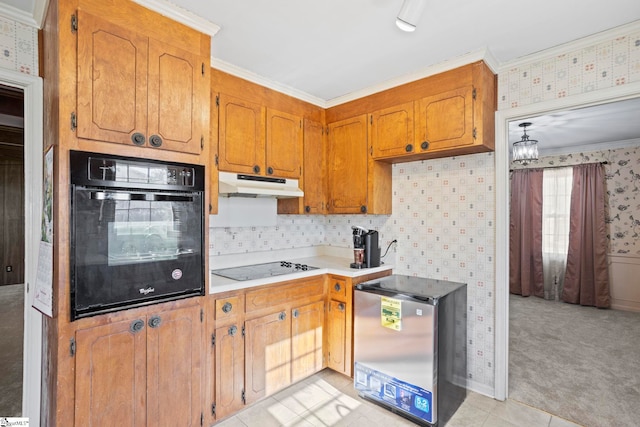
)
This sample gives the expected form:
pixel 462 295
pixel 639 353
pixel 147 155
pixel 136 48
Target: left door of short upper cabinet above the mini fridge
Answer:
pixel 391 131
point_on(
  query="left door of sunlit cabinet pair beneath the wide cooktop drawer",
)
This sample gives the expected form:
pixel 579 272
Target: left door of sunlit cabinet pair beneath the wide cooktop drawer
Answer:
pixel 267 355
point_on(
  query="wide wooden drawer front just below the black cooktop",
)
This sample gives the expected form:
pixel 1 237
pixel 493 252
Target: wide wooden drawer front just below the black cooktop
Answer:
pixel 273 296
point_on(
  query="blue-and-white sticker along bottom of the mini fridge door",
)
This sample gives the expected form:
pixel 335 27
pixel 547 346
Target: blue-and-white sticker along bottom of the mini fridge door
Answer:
pixel 392 391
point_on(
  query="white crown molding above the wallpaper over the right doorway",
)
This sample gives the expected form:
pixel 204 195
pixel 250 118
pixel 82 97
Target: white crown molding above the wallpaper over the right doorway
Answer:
pixel 578 44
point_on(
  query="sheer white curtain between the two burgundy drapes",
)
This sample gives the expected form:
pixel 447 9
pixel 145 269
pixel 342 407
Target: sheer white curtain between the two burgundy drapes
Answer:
pixel 556 196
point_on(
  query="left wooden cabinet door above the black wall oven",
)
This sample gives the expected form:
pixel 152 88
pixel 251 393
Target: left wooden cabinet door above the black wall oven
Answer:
pixel 112 81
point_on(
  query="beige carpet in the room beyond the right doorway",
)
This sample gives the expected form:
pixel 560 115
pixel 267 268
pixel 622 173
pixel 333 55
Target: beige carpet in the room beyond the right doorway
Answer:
pixel 580 363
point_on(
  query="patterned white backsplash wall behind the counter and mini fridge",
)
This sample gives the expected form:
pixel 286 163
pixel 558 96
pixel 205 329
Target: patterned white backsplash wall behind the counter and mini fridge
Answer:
pixel 443 219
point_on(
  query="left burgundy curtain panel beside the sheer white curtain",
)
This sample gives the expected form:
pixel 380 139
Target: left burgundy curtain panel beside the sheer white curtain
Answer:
pixel 525 233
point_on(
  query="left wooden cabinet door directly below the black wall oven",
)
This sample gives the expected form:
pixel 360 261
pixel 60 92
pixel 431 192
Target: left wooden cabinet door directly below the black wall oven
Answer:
pixel 111 376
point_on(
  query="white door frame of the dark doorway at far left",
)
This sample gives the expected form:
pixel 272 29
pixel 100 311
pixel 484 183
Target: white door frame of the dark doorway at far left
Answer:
pixel 32 87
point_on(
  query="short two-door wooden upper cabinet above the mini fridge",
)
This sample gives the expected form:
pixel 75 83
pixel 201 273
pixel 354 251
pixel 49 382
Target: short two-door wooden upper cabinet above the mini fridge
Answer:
pixel 444 115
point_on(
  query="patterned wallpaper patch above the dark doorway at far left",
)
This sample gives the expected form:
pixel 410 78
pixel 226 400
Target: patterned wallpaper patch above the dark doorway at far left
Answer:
pixel 18 46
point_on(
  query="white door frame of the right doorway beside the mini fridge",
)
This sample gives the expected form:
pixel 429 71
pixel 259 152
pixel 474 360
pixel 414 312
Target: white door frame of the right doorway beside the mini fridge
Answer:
pixel 503 117
